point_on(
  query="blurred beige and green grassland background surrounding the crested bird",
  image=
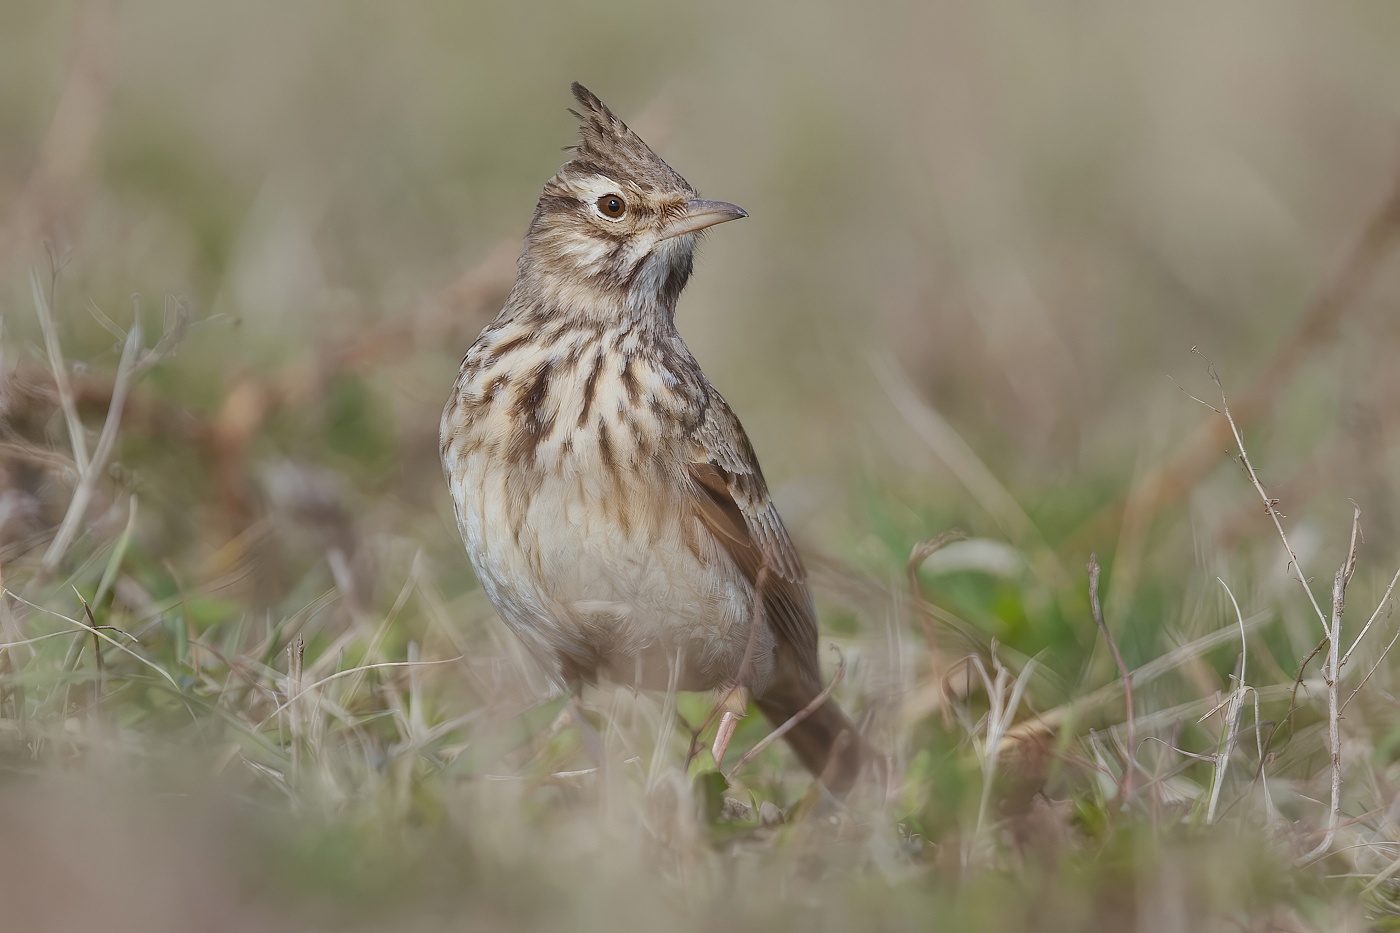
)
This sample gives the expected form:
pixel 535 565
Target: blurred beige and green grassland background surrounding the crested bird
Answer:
pixel 993 251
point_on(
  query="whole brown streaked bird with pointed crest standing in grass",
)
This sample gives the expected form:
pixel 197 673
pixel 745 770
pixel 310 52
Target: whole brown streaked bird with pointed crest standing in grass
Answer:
pixel 610 499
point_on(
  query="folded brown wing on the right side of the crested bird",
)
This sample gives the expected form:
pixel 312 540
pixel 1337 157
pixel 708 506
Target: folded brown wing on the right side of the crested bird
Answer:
pixel 733 502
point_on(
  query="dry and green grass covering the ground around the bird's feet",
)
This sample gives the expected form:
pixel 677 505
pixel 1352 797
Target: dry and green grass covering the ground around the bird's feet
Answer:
pixel 345 701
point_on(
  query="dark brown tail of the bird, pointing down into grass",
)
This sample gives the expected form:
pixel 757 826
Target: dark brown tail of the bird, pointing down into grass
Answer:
pixel 825 740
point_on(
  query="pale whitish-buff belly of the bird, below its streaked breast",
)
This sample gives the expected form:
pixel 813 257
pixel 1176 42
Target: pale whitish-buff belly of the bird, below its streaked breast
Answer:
pixel 601 576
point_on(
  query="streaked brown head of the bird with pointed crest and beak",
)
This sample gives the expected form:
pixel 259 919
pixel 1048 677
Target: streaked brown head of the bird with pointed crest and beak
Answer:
pixel 617 228
